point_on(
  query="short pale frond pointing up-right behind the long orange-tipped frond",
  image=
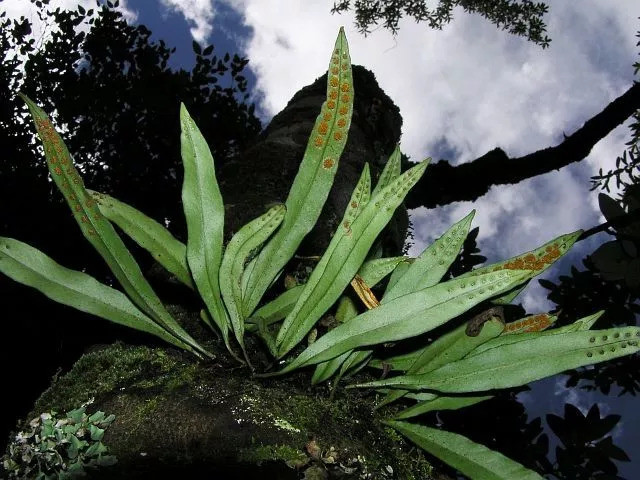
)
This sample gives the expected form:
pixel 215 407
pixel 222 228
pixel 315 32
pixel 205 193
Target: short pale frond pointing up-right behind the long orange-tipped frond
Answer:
pixel 429 268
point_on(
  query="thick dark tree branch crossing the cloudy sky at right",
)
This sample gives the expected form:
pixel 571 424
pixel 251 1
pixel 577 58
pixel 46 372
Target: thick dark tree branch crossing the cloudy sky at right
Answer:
pixel 444 183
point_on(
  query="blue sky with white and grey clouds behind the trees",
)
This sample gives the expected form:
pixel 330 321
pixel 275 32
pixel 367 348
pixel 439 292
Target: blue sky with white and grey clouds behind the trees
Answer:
pixel 461 91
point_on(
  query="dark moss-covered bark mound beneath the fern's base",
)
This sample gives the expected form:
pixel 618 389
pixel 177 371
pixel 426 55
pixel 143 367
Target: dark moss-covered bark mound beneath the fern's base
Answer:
pixel 175 416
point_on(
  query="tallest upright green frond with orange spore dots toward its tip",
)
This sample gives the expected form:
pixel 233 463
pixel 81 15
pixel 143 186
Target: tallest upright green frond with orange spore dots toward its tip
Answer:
pixel 314 179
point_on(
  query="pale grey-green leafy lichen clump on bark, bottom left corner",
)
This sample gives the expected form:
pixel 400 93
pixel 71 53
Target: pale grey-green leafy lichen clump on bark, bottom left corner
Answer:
pixel 59 447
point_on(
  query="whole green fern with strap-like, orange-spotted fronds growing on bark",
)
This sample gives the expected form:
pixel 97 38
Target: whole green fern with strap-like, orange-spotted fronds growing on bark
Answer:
pixel 458 369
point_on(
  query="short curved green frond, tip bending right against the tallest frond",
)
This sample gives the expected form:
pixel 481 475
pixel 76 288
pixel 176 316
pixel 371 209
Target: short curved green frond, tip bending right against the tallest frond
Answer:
pixel 248 238
